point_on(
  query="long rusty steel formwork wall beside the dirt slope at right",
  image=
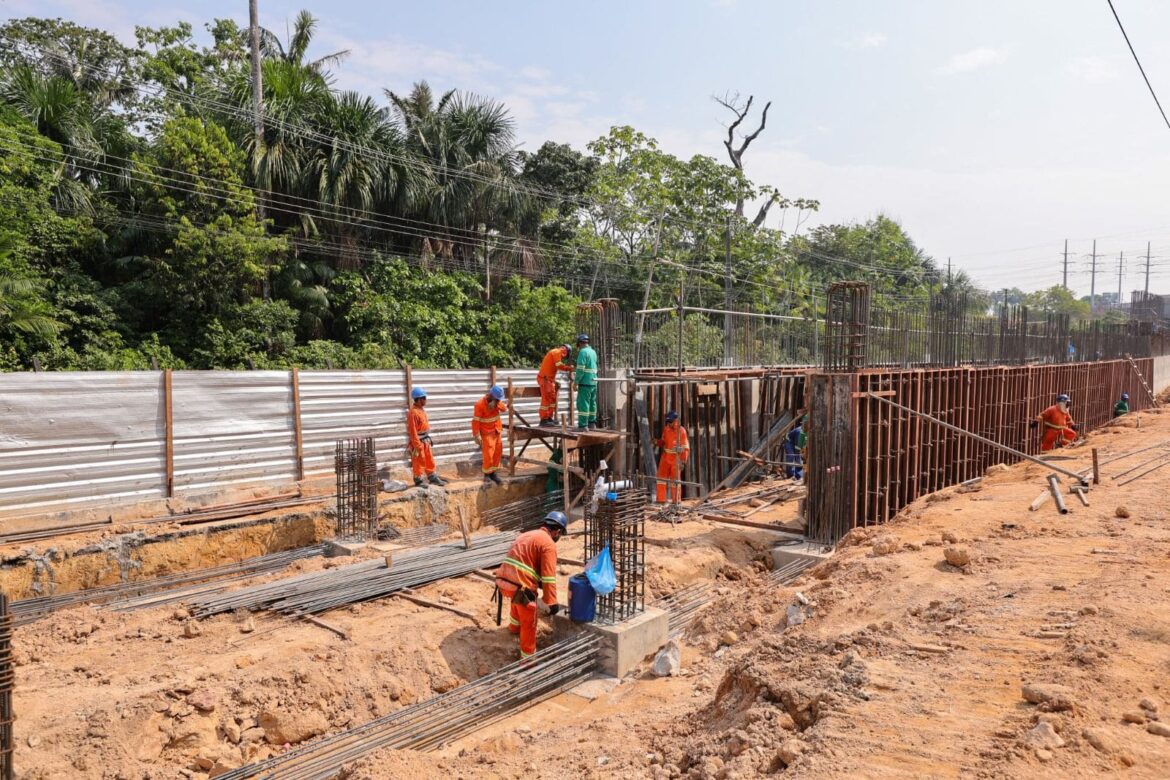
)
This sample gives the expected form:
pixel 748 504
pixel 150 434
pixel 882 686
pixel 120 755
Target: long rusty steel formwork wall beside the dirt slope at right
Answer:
pixel 898 457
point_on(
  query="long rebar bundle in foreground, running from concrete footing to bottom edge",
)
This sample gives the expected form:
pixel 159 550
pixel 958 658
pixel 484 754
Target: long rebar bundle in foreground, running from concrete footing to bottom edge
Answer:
pixel 442 720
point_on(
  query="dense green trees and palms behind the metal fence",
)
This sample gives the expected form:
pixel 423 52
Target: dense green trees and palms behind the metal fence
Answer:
pixel 143 224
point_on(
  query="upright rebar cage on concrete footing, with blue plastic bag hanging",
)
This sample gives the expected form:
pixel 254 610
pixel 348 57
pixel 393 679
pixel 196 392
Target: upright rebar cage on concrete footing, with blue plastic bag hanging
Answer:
pixel 620 523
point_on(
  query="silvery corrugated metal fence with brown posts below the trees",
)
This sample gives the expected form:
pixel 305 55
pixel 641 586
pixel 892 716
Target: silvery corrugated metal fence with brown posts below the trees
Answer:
pixel 71 440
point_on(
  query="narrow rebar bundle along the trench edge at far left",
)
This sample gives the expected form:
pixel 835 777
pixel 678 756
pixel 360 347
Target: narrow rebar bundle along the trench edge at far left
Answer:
pixel 162 590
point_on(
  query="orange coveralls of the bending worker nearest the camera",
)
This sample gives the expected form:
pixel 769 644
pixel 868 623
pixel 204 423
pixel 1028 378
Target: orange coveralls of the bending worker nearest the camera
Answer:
pixel 532 567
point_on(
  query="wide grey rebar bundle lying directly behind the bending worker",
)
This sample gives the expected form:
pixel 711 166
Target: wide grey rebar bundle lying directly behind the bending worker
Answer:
pixel 320 592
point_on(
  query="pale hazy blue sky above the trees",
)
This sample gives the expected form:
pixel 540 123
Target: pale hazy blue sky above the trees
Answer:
pixel 993 130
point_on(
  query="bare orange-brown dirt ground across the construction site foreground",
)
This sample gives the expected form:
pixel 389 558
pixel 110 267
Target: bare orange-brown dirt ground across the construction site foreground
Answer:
pixel 1045 655
